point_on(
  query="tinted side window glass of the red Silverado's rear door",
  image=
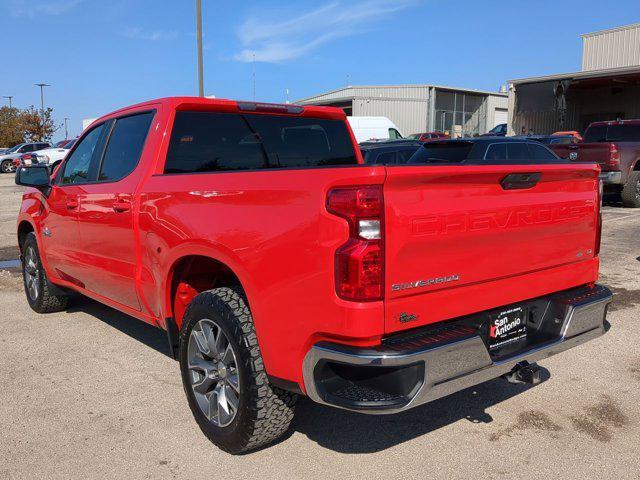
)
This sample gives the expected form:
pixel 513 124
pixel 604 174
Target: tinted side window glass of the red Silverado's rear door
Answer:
pixel 125 146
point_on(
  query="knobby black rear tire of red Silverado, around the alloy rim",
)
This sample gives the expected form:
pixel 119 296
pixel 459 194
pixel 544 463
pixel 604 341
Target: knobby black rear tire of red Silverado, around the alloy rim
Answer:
pixel 264 412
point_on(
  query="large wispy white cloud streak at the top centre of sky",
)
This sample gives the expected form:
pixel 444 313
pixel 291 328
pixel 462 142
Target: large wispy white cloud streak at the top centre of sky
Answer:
pixel 278 41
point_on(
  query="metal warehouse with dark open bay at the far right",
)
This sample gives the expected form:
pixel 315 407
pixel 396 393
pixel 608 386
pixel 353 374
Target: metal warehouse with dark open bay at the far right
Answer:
pixel 607 87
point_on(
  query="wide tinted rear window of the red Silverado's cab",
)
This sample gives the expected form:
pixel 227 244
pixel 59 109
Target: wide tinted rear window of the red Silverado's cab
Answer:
pixel 210 141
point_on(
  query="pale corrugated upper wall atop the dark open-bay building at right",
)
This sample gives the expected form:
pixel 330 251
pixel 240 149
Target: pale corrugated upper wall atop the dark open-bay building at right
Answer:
pixel 611 48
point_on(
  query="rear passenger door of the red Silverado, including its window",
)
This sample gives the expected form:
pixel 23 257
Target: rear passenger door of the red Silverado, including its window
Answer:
pixel 106 214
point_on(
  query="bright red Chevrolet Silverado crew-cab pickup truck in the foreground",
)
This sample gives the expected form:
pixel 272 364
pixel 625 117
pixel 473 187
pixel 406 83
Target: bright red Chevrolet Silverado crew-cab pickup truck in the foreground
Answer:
pixel 281 265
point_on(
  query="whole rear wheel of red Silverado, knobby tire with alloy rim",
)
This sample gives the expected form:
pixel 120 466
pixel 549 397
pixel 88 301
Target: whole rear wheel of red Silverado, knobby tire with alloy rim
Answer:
pixel 224 377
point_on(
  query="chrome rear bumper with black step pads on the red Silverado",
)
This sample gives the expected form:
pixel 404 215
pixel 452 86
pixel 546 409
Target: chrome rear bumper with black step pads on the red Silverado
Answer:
pixel 421 366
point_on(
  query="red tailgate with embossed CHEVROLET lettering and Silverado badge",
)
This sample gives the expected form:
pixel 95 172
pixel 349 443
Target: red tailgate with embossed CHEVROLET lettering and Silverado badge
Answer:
pixel 457 242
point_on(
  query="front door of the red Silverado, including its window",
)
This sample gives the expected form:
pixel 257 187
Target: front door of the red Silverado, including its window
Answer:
pixel 59 225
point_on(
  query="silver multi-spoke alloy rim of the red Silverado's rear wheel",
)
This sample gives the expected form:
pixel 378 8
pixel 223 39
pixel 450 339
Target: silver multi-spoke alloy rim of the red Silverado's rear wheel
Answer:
pixel 213 371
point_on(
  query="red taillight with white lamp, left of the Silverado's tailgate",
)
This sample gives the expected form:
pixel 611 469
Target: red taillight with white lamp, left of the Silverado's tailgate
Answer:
pixel 359 263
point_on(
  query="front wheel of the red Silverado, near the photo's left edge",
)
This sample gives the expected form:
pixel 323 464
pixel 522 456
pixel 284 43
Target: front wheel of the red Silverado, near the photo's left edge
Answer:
pixel 39 291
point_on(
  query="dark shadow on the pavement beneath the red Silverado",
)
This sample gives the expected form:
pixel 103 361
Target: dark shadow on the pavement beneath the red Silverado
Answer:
pixel 339 430
